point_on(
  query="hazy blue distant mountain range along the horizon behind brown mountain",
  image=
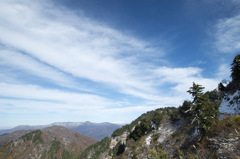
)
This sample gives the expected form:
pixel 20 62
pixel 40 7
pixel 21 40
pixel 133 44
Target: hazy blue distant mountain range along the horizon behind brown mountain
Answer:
pixel 94 130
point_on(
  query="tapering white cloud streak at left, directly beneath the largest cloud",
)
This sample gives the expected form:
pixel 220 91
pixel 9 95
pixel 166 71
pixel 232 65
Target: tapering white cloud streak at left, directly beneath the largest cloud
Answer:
pixel 18 61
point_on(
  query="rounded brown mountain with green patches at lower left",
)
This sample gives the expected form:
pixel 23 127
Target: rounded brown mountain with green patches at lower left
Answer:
pixel 50 142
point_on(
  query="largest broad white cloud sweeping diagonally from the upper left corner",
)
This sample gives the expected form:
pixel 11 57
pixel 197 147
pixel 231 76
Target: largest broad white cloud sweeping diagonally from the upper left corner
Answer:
pixel 84 49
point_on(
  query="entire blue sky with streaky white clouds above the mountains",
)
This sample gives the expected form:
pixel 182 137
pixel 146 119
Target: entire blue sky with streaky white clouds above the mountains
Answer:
pixel 109 60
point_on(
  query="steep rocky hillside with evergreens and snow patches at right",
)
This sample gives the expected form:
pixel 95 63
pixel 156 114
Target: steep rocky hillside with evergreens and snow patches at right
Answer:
pixel 196 129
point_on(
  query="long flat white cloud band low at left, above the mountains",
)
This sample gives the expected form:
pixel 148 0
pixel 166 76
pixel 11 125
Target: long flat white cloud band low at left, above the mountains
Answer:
pixel 33 92
